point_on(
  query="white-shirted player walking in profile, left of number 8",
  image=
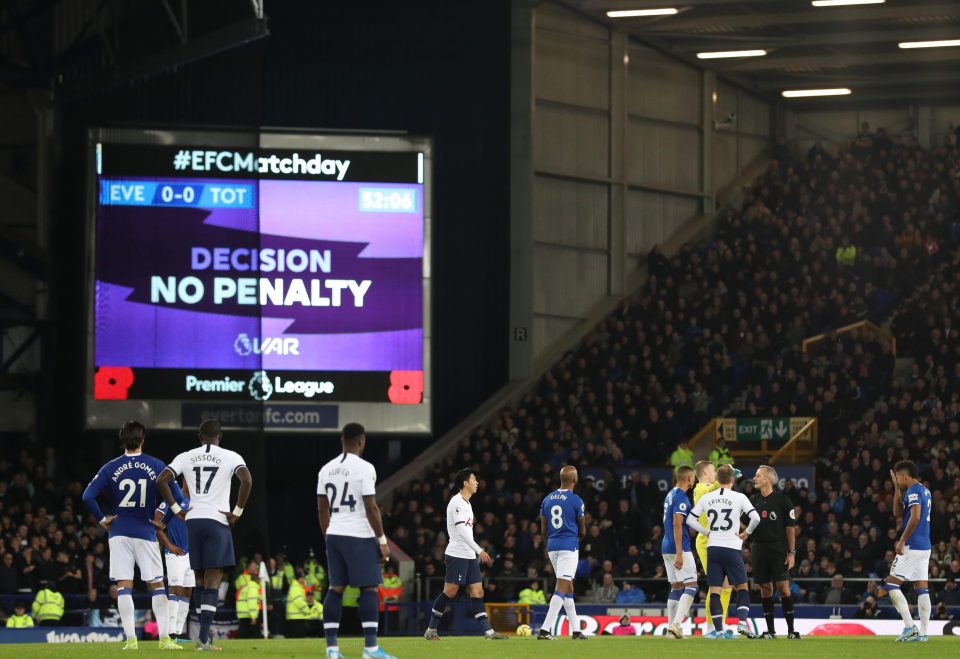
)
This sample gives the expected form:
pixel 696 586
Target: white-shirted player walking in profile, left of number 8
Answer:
pixel 463 557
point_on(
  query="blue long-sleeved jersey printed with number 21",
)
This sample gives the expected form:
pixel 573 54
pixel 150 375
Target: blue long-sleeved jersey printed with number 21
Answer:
pixel 130 482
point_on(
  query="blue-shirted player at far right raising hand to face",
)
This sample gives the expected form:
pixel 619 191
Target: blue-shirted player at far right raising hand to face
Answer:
pixel 911 500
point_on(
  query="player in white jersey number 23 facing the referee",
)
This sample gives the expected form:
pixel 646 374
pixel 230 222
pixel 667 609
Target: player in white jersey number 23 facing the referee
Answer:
pixel 724 508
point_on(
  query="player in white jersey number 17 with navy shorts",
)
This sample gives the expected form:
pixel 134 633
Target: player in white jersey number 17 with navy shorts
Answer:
pixel 209 470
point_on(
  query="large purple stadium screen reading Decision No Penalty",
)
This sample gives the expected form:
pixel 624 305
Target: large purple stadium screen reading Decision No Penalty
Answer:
pixel 268 280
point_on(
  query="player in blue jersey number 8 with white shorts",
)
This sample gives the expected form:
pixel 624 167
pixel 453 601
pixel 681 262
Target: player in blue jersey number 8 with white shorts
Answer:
pixel 562 525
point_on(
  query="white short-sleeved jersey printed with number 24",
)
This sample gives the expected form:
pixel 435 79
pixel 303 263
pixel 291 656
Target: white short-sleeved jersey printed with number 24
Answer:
pixel 345 480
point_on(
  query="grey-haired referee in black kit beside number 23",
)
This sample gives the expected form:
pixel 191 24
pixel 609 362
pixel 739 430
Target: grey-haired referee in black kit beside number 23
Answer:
pixel 773 547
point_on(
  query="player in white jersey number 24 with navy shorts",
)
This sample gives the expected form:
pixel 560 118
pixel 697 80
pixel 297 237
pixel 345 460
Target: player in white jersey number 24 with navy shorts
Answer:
pixel 356 545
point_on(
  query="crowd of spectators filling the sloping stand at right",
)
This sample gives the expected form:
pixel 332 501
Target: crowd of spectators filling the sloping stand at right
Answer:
pixel 820 243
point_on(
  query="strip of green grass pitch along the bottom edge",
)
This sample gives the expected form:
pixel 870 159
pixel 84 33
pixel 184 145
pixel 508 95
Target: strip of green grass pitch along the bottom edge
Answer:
pixel 522 648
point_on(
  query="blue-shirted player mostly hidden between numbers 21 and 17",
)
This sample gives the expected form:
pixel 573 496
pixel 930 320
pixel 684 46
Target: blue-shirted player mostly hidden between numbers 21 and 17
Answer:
pixel 181 580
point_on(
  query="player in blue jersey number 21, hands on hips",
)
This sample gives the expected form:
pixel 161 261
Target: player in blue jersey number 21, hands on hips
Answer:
pixel 130 481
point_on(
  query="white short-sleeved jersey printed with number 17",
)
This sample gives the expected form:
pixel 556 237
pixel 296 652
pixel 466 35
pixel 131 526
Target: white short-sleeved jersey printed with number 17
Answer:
pixel 208 471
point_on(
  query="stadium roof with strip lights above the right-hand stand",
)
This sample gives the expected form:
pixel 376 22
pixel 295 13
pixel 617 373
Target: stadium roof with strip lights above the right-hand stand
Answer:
pixel 808 47
